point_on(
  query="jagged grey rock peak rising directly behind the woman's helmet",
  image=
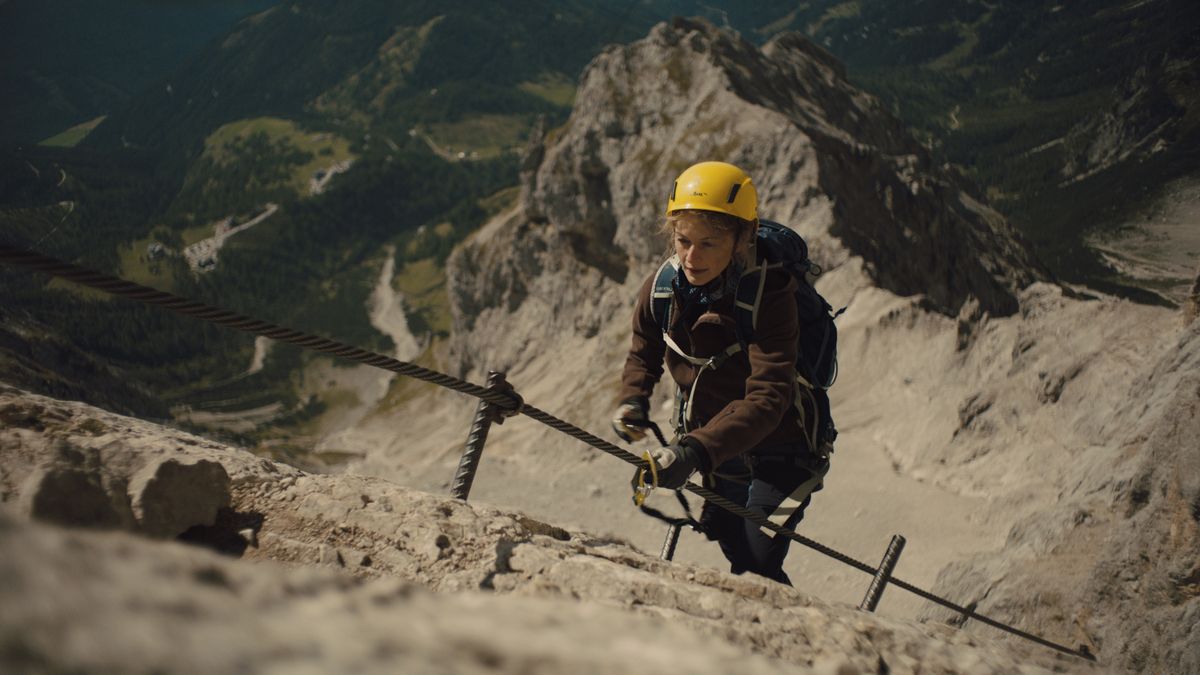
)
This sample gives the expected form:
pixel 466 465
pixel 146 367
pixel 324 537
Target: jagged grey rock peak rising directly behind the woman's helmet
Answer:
pixel 827 159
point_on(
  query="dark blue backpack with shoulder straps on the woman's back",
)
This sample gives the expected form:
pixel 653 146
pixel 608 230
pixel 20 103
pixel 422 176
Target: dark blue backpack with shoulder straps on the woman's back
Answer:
pixel 817 365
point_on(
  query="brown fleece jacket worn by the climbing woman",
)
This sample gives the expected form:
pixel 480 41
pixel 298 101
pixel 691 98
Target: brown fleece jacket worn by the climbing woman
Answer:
pixel 745 405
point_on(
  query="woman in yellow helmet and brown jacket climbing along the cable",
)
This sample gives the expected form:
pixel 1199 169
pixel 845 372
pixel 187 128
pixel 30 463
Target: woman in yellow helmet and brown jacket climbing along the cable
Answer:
pixel 737 419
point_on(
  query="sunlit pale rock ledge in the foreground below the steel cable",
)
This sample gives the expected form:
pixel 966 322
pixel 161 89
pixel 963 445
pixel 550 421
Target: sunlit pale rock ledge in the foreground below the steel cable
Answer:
pixel 364 557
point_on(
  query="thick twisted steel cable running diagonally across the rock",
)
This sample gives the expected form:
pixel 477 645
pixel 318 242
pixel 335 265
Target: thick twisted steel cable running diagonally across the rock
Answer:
pixel 509 404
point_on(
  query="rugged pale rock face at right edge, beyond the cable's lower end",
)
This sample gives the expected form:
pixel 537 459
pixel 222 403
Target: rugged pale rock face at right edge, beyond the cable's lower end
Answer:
pixel 1123 545
